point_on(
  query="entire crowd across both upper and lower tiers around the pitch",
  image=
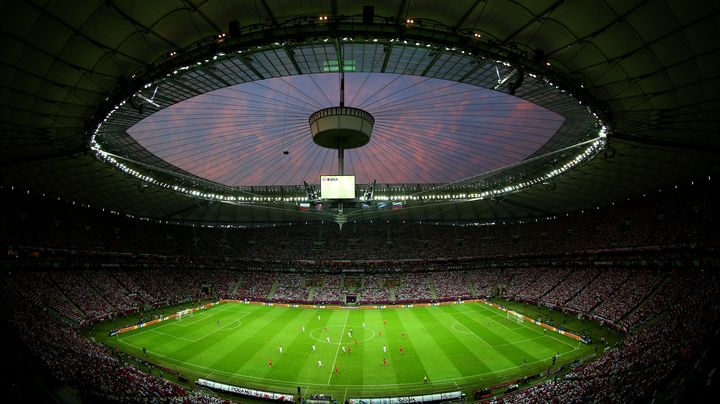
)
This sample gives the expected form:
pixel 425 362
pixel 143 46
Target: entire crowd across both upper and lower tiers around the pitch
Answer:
pixel 47 299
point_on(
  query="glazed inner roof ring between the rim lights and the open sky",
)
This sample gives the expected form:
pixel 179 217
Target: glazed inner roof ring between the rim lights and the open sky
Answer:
pixel 387 55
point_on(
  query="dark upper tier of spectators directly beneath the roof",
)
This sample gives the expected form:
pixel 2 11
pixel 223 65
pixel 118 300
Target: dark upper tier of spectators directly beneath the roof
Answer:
pixel 676 217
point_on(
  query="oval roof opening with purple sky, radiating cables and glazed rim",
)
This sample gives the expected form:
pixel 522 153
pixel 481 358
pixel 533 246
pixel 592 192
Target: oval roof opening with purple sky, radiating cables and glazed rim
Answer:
pixel 218 88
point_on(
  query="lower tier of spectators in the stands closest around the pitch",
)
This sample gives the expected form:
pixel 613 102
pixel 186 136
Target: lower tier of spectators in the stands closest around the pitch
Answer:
pixel 639 295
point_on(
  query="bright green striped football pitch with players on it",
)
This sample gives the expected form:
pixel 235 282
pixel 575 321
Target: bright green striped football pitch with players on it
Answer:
pixel 458 347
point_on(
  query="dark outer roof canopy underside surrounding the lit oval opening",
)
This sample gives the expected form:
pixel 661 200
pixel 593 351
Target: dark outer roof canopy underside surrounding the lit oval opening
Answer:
pixel 651 65
